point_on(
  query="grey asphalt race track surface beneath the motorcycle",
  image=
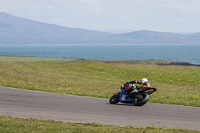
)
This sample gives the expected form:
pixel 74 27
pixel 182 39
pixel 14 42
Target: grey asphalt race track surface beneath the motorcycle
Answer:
pixel 42 105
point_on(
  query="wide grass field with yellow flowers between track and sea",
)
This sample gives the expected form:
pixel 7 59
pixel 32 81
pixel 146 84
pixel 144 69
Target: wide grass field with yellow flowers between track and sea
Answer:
pixel 176 84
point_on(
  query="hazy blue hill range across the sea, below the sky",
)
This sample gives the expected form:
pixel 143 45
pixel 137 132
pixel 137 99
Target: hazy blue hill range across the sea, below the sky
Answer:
pixel 20 31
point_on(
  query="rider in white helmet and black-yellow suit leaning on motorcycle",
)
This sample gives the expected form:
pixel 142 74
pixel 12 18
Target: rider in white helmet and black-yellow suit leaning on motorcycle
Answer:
pixel 143 83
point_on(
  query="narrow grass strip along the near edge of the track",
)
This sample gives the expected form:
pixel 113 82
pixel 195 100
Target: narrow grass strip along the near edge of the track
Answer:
pixel 19 125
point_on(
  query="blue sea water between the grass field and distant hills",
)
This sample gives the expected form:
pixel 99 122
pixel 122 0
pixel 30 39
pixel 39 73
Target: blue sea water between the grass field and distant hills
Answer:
pixel 185 53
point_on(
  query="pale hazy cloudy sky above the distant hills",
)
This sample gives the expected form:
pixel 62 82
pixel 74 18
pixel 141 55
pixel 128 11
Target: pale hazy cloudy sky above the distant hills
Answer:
pixel 181 16
